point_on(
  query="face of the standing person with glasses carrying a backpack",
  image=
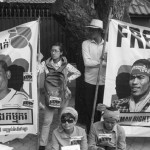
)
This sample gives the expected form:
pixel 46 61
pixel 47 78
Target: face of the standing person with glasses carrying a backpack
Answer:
pixel 55 52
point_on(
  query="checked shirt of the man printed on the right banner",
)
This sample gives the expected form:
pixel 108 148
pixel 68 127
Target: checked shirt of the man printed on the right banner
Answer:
pixel 123 105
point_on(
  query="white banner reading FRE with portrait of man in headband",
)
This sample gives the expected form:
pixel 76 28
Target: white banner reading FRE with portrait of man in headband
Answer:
pixel 129 93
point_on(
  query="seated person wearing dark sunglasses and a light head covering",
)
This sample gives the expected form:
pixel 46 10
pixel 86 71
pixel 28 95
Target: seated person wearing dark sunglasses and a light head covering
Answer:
pixel 68 133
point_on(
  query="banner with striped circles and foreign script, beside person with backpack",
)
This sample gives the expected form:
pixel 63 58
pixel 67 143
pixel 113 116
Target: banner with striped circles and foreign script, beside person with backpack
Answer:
pixel 18 81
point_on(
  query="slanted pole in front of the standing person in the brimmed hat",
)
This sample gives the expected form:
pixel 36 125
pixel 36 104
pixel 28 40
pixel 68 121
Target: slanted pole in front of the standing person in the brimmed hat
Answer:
pixel 101 61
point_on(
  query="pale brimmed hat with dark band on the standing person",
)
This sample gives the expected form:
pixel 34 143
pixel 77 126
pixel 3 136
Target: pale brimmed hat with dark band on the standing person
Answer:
pixel 96 23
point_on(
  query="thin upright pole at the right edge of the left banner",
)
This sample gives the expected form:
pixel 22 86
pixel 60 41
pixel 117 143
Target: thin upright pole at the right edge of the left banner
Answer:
pixel 38 83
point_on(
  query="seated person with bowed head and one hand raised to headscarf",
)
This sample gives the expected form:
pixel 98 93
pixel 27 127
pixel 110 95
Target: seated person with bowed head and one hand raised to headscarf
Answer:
pixel 107 134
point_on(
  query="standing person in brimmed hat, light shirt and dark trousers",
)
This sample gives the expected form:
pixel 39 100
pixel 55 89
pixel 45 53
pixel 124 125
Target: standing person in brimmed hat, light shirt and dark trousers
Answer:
pixel 92 51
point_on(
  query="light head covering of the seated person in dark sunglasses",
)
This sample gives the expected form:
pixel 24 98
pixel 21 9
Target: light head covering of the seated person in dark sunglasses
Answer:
pixel 70 110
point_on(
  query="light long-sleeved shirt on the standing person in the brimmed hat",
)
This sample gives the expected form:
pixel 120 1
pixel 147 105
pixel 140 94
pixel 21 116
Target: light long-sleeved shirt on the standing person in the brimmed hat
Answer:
pixel 91 52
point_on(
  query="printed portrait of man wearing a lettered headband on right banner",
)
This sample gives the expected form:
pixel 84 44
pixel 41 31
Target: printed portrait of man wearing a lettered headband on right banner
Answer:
pixel 139 100
